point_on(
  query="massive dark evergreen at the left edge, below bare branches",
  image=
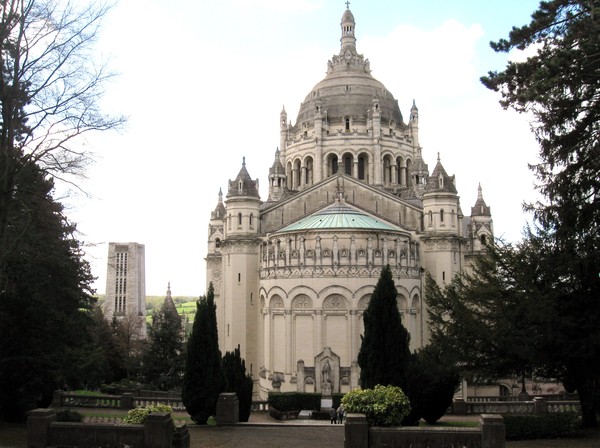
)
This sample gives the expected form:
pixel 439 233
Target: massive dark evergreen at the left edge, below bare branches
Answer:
pixel 45 302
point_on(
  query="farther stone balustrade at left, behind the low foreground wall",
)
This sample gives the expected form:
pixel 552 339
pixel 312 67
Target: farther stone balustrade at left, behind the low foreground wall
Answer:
pixel 124 401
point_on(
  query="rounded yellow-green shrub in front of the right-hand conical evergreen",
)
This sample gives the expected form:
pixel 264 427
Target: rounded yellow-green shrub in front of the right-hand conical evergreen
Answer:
pixel 383 405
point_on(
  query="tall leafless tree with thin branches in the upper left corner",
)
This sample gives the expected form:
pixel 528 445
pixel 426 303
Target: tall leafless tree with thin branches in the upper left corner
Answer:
pixel 50 88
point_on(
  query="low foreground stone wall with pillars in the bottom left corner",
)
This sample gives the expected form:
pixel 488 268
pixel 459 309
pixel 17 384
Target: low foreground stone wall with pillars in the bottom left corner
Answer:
pixel 157 432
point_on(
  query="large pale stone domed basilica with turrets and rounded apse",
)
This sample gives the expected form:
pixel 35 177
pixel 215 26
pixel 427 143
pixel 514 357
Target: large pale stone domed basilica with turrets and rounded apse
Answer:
pixel 349 193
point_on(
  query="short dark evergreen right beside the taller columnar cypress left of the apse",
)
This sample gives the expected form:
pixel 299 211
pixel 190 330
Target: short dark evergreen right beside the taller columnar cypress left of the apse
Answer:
pixel 236 380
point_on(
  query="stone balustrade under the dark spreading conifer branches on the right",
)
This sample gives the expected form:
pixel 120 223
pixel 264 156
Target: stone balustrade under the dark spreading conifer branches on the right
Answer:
pixel 539 405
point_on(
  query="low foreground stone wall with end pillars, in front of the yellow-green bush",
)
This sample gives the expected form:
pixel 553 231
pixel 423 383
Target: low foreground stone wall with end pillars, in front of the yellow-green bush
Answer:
pixel 358 434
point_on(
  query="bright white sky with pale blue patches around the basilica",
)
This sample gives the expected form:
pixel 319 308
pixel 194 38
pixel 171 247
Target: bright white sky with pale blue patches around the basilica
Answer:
pixel 203 82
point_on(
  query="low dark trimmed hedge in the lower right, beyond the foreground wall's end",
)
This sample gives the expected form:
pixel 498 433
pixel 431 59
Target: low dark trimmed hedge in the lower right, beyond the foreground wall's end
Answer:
pixel 545 426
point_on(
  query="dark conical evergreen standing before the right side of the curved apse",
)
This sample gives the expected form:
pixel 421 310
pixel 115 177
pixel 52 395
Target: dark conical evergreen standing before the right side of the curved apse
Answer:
pixel 384 353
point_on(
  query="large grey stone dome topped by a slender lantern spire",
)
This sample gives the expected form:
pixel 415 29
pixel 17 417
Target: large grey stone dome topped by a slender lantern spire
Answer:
pixel 349 89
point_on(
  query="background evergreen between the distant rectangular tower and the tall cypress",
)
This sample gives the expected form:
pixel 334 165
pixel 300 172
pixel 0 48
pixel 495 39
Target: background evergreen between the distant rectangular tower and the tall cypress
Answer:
pixel 164 358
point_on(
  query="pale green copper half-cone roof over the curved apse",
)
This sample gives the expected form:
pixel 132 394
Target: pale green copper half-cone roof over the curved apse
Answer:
pixel 338 215
